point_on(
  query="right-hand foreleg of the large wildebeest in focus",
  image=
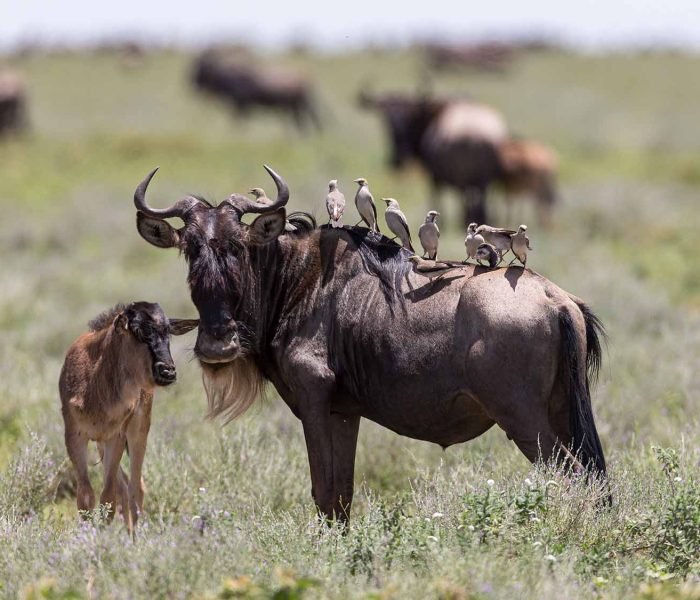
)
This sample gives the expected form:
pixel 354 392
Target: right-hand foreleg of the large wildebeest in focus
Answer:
pixel 344 431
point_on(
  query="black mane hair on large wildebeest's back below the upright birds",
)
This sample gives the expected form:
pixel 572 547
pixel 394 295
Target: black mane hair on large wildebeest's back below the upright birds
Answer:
pixel 382 258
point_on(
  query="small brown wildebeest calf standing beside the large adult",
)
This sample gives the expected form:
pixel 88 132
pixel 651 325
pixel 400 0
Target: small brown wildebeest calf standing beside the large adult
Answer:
pixel 106 387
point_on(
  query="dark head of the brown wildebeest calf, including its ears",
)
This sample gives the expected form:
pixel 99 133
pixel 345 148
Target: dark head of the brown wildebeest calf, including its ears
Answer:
pixel 149 326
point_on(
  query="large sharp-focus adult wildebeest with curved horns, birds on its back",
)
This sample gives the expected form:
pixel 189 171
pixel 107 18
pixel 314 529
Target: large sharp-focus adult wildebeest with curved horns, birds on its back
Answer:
pixel 342 327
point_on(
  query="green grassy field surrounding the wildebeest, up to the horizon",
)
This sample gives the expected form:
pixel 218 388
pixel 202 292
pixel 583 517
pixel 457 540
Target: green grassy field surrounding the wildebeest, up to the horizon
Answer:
pixel 229 511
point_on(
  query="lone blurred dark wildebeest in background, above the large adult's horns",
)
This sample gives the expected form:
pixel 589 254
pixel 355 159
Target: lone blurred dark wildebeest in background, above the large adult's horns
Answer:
pixel 246 87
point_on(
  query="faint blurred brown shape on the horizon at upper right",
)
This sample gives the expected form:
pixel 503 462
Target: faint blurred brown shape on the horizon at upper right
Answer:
pixel 485 56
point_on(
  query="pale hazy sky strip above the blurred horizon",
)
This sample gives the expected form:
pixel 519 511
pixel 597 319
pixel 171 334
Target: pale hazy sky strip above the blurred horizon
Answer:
pixel 589 24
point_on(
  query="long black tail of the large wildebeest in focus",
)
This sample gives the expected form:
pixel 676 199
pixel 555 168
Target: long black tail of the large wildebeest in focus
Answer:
pixel 578 377
